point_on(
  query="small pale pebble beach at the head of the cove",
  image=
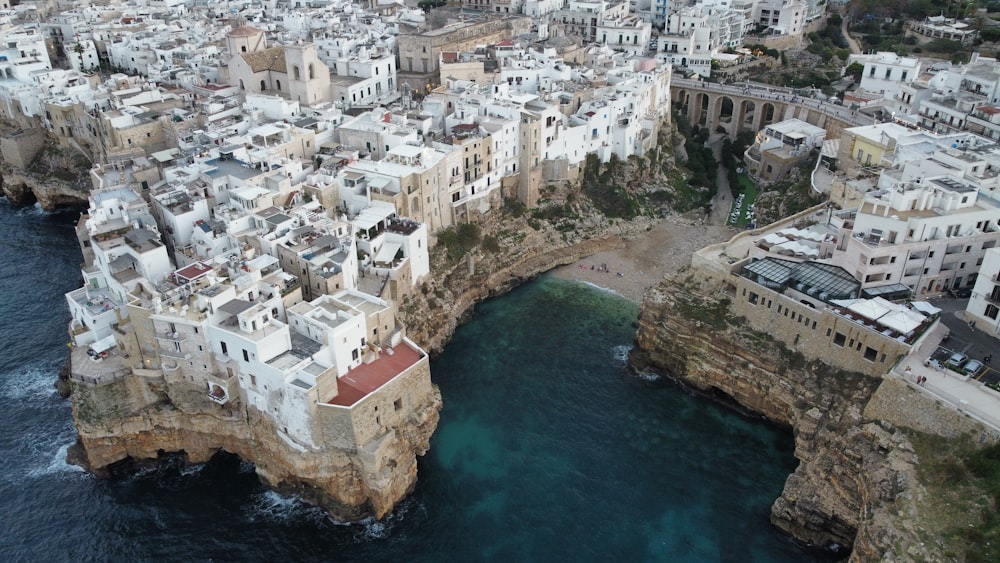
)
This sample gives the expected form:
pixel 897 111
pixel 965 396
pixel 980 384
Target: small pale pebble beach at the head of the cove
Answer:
pixel 646 259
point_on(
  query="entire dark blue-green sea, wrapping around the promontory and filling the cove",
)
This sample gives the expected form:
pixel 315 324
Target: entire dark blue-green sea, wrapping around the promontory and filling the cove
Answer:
pixel 548 450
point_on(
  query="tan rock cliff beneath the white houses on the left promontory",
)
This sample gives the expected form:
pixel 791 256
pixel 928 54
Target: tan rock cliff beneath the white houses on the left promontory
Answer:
pixel 134 419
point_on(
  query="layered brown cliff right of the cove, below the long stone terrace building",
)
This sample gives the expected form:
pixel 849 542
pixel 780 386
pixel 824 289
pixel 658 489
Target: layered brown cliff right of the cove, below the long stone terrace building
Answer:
pixel 856 474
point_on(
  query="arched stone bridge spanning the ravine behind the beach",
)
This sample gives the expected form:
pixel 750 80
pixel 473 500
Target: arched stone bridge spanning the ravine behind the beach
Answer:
pixel 751 106
